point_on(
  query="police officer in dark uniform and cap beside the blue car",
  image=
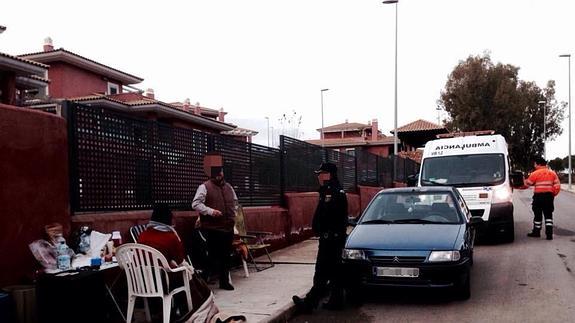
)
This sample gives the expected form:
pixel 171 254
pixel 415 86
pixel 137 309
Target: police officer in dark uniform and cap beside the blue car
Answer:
pixel 329 224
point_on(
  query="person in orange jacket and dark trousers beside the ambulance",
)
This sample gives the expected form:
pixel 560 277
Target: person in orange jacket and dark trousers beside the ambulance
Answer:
pixel 546 186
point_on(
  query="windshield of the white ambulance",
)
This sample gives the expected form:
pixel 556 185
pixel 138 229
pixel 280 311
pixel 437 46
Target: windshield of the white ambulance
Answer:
pixel 464 170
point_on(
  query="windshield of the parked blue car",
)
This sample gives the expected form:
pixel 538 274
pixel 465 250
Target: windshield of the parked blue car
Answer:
pixel 412 208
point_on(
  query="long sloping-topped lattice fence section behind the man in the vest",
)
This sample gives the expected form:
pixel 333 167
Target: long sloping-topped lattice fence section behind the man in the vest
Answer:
pixel 124 163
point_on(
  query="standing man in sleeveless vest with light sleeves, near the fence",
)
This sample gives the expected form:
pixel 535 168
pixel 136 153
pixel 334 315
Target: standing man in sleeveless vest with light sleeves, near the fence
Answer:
pixel 216 201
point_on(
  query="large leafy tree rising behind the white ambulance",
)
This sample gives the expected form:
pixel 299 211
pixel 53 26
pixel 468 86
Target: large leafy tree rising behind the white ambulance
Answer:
pixel 481 95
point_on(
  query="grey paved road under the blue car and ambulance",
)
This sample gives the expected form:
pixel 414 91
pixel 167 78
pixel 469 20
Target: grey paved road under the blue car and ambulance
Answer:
pixel 530 280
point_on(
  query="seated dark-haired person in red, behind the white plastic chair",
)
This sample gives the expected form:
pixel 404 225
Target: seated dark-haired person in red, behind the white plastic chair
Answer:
pixel 160 235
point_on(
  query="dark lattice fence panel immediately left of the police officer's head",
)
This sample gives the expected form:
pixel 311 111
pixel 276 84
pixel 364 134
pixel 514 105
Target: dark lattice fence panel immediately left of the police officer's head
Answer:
pixel 300 159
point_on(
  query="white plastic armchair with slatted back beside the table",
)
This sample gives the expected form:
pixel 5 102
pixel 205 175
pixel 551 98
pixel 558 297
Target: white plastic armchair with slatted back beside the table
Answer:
pixel 147 275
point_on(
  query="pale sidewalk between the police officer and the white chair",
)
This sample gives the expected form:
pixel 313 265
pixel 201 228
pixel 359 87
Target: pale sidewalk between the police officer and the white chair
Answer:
pixel 265 296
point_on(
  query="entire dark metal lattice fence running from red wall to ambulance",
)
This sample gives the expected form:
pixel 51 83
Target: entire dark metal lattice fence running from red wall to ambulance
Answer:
pixel 119 162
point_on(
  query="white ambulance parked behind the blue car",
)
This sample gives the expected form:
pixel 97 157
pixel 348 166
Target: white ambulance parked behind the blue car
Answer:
pixel 477 164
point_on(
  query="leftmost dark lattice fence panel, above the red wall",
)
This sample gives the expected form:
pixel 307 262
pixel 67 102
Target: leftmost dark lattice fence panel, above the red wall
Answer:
pixel 112 161
